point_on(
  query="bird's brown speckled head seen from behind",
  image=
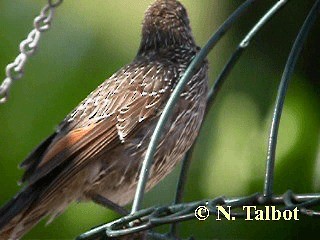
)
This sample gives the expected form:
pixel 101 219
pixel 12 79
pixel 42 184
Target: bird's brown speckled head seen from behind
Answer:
pixel 166 24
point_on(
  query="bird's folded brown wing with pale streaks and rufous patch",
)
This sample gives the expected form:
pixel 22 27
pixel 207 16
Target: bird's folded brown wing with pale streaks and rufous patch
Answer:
pixel 104 119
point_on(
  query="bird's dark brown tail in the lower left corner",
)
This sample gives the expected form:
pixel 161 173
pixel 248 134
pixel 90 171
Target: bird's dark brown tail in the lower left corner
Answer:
pixel 20 214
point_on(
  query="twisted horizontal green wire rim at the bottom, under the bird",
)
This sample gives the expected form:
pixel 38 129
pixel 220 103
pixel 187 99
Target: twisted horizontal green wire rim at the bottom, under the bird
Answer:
pixel 156 216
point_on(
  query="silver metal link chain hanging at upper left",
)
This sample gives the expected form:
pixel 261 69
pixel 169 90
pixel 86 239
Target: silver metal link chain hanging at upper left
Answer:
pixel 15 70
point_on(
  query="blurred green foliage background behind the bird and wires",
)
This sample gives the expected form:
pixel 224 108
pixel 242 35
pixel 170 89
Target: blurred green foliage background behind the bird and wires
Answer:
pixel 90 40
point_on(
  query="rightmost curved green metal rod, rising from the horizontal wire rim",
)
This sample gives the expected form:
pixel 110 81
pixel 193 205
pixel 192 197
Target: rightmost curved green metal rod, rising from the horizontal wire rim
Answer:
pixel 287 73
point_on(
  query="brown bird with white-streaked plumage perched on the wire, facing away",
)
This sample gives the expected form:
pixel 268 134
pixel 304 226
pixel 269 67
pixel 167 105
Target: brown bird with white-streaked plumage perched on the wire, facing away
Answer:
pixel 97 151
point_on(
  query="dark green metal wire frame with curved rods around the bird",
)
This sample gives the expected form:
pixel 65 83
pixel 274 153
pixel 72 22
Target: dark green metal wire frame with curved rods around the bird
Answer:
pixel 147 219
